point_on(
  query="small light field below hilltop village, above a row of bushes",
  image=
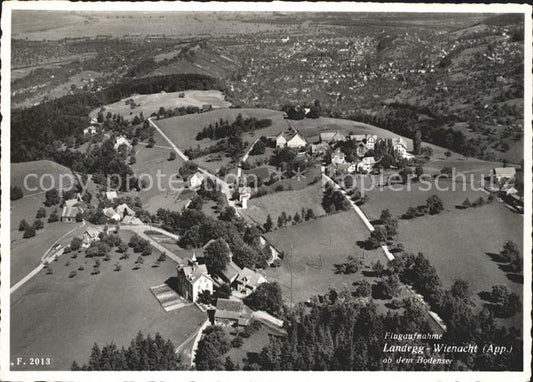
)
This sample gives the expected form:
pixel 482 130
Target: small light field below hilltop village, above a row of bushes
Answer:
pixel 289 201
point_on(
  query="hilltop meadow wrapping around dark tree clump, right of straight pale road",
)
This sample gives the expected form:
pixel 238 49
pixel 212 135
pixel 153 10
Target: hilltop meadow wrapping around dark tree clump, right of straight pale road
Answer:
pixel 182 130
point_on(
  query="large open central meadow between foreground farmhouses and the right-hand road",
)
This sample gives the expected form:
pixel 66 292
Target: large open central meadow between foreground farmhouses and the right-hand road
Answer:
pixel 318 245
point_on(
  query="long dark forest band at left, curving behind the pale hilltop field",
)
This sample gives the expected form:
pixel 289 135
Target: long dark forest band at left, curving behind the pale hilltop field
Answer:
pixel 36 130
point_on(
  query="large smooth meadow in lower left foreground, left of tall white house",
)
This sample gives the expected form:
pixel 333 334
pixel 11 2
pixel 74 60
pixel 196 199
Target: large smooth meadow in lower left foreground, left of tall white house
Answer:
pixel 62 317
